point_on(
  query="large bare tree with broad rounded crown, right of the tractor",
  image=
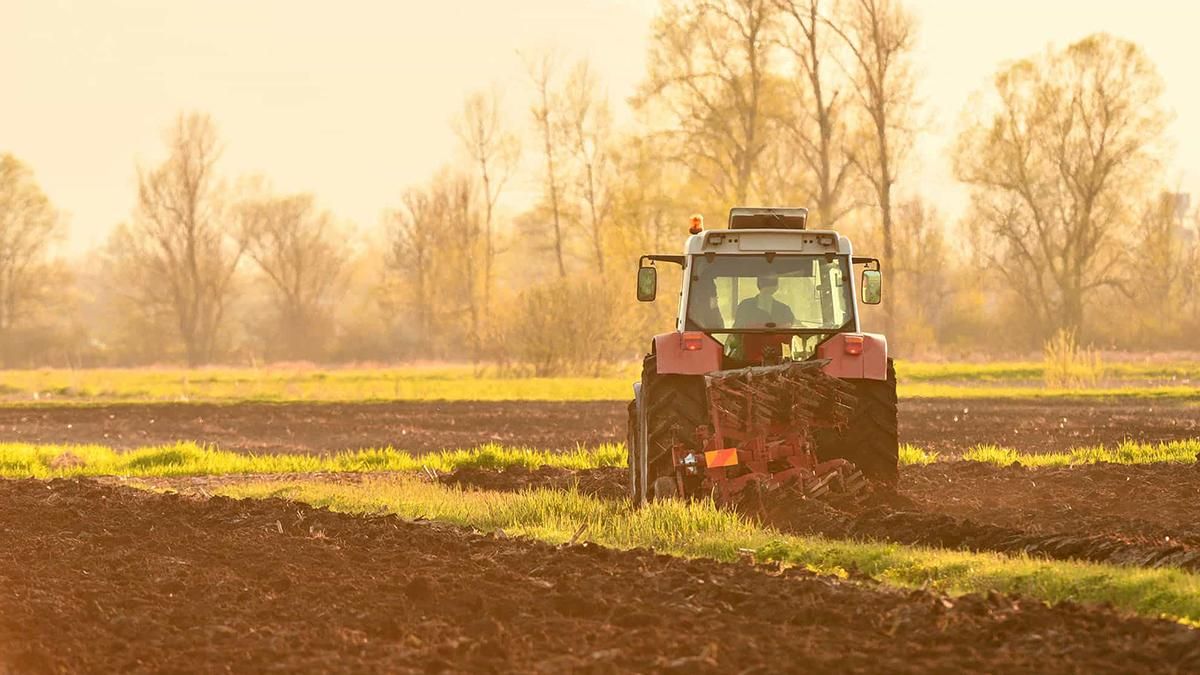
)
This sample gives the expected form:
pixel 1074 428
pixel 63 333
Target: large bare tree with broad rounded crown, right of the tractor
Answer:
pixel 1057 168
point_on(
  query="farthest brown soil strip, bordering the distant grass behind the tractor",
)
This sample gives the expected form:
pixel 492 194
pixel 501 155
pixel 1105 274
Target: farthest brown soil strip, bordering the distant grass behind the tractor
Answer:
pixel 946 426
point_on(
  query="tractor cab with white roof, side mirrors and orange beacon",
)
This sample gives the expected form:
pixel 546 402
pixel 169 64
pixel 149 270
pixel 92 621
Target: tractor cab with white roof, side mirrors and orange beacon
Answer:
pixel 767 289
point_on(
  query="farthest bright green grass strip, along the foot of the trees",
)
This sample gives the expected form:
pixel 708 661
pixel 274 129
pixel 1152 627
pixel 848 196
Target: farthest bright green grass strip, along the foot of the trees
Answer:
pixel 427 384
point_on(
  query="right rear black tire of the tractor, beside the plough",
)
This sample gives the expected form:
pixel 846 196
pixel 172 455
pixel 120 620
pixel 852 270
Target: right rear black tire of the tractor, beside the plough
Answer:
pixel 872 440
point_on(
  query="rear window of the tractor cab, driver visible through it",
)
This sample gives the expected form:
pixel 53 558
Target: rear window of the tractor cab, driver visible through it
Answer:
pixel 788 292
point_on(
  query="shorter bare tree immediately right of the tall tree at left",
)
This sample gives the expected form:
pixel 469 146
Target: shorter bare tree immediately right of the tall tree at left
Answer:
pixel 303 255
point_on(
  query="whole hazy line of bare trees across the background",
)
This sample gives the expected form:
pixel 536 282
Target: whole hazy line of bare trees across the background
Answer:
pixel 1072 222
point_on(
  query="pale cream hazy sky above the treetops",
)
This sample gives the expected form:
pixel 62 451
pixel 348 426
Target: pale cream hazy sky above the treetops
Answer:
pixel 352 100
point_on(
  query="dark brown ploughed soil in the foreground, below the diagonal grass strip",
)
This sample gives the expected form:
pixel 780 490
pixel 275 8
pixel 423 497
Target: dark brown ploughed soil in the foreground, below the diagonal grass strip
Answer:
pixel 99 578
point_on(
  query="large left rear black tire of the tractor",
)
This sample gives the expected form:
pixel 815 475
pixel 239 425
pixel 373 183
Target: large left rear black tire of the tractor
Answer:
pixel 676 407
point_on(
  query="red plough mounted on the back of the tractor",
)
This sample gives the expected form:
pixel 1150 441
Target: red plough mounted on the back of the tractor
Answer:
pixel 761 434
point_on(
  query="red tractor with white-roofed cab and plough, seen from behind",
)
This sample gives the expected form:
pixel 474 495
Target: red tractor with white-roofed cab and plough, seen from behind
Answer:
pixel 767 384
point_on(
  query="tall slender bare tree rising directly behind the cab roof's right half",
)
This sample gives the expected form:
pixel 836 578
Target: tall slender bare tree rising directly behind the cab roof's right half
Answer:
pixel 819 127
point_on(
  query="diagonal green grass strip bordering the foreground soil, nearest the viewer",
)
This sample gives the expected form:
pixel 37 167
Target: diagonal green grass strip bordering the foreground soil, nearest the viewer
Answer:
pixel 700 530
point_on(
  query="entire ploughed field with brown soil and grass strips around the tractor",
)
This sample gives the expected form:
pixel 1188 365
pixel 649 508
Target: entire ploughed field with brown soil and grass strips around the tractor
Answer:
pixel 347 529
